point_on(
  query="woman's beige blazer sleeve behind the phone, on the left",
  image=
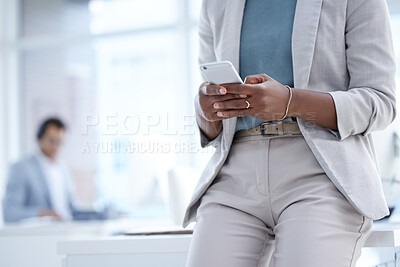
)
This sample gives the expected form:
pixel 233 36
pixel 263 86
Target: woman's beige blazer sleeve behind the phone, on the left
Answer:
pixel 206 54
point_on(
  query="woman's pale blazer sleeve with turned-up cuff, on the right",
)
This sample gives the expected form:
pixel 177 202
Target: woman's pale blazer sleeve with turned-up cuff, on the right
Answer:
pixel 369 104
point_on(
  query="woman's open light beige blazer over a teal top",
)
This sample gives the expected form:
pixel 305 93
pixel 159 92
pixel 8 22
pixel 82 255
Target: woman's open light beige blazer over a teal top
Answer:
pixel 343 47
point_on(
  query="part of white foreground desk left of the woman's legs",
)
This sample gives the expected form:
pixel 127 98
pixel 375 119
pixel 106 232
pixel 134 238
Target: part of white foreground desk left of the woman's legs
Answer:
pixel 140 251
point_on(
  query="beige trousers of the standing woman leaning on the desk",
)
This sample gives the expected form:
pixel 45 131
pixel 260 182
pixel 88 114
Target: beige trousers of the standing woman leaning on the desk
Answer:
pixel 272 205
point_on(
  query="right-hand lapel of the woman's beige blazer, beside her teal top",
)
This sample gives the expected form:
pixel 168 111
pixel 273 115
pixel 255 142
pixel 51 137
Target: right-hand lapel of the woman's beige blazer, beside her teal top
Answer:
pixel 305 27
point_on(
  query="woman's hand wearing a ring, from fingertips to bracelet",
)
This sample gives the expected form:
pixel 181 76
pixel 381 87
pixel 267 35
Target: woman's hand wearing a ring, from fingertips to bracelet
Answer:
pixel 267 98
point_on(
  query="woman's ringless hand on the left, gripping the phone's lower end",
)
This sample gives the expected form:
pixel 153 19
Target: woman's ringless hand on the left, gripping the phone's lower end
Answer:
pixel 209 94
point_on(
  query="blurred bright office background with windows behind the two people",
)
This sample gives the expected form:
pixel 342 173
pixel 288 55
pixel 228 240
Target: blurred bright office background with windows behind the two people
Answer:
pixel 123 75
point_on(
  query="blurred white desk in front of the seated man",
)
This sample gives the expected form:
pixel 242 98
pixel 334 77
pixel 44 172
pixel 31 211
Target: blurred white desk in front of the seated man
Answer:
pixel 35 244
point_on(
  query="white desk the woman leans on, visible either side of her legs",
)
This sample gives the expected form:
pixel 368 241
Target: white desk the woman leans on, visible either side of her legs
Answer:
pixel 171 251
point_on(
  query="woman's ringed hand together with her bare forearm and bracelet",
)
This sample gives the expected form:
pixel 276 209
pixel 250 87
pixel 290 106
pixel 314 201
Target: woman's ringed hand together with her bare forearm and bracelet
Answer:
pixel 268 100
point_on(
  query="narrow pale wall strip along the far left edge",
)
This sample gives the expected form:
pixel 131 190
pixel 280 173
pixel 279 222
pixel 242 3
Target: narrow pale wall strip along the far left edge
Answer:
pixel 9 92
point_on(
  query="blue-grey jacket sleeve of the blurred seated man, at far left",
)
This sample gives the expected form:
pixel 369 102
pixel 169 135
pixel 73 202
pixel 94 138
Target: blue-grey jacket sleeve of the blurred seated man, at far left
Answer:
pixel 14 209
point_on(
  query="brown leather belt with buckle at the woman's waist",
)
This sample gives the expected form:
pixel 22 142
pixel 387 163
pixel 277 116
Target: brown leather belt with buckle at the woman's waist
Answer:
pixel 286 127
